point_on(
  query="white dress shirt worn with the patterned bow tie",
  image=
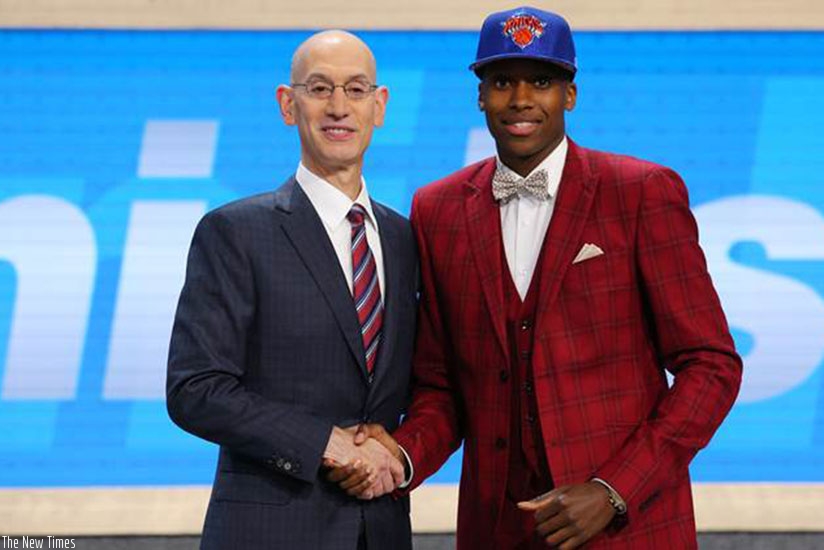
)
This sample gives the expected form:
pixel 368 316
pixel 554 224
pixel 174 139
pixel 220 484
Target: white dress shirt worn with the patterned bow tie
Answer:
pixel 525 219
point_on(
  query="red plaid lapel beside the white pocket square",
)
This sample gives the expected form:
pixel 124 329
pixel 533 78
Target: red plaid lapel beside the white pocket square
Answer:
pixel 575 197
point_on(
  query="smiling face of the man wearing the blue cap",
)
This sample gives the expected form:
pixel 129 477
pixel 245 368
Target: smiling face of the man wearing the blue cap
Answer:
pixel 525 101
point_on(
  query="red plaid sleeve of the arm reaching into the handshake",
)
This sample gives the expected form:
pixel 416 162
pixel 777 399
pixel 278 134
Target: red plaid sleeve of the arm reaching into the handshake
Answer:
pixel 432 429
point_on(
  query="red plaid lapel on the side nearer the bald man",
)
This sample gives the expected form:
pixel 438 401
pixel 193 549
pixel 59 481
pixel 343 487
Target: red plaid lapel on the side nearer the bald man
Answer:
pixel 483 219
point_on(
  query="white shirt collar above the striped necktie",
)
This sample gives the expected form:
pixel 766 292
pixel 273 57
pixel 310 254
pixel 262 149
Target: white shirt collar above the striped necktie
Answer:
pixel 332 204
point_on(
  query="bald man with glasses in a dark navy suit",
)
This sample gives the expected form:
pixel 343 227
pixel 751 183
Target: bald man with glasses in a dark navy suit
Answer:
pixel 295 323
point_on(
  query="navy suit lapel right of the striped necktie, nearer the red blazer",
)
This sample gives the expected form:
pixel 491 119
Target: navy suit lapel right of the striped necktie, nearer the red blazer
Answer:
pixel 390 244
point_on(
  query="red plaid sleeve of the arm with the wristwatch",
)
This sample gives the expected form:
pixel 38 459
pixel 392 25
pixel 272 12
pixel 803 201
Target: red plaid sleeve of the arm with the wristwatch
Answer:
pixel 687 324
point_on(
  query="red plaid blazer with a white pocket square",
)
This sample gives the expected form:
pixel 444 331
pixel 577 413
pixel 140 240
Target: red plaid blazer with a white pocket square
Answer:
pixel 605 331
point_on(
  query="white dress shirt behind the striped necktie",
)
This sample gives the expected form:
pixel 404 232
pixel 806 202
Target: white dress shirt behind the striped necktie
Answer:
pixel 332 206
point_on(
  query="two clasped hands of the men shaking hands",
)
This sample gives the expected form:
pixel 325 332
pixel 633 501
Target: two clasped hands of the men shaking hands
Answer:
pixel 364 460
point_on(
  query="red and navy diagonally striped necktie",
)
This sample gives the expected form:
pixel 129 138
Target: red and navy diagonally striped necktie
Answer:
pixel 366 291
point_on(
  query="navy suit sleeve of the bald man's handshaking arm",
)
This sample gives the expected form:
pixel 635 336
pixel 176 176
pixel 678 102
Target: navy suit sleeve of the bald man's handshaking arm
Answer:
pixel 208 354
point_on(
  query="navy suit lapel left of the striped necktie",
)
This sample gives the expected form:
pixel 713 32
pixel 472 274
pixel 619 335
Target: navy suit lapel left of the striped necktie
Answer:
pixel 305 230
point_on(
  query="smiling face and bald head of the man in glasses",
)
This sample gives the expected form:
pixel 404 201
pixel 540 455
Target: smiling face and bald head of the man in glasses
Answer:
pixel 334 132
